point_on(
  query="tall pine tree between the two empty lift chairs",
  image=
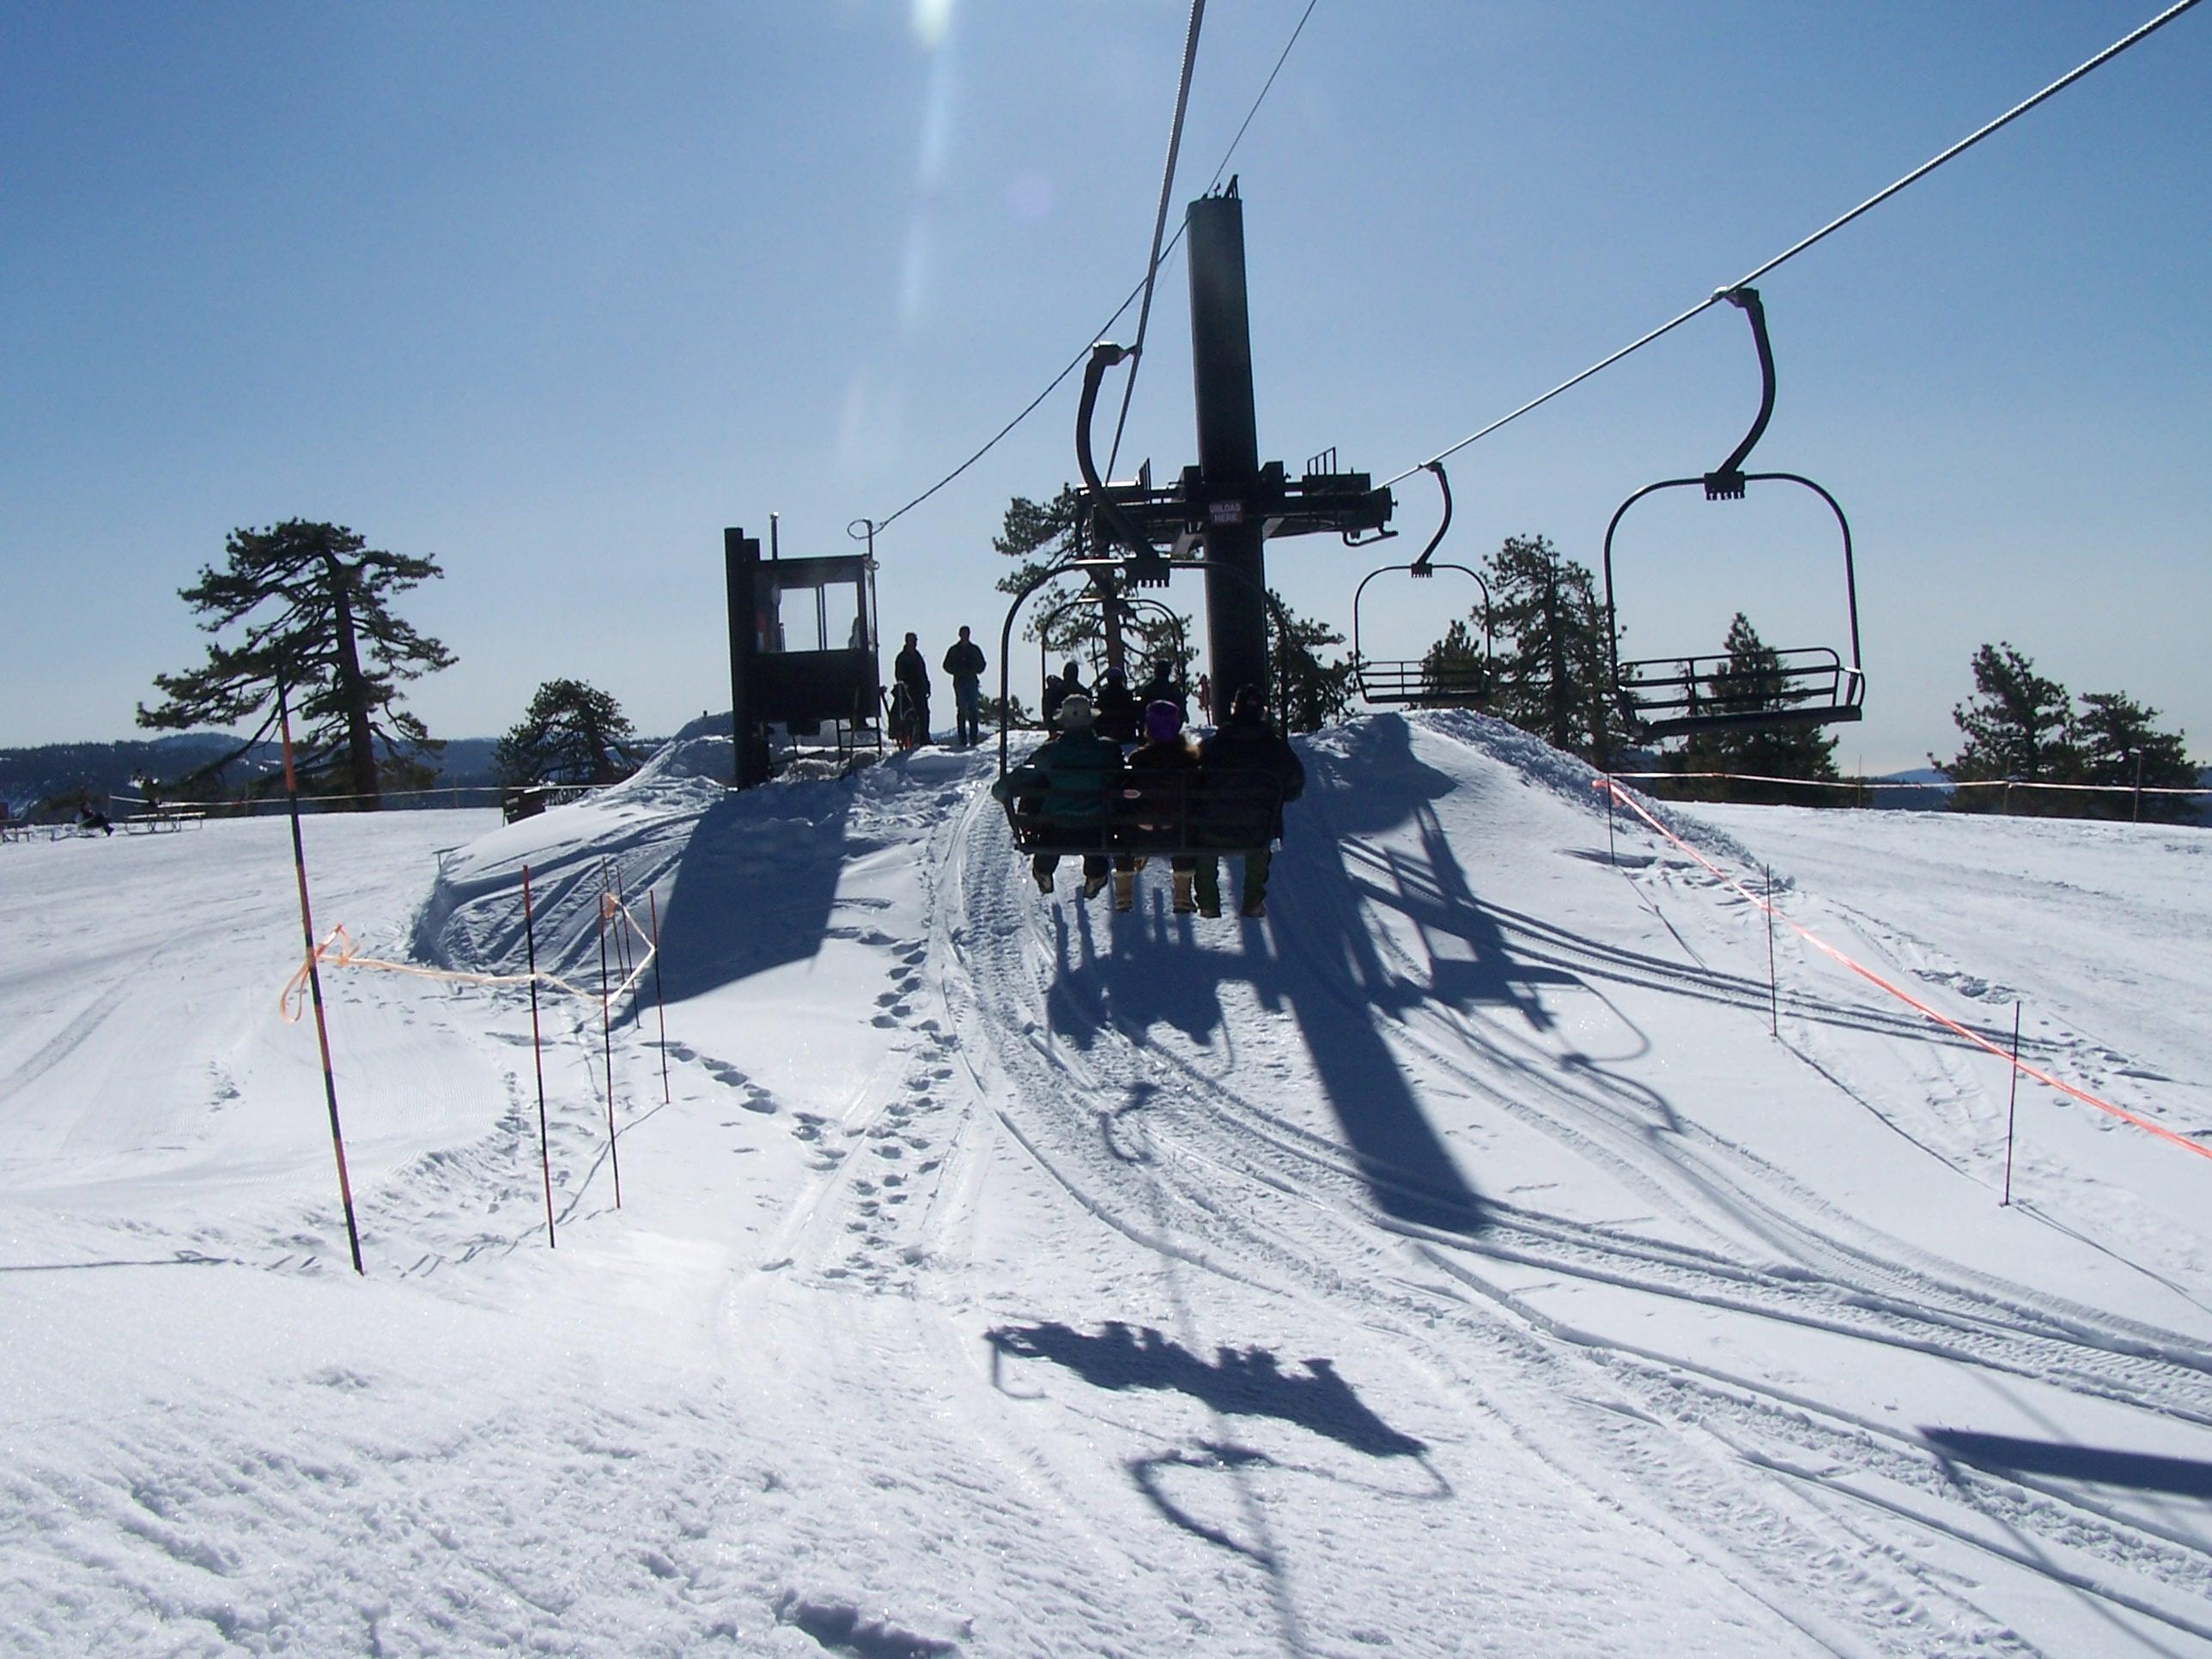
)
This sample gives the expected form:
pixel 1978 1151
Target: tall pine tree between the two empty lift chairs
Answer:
pixel 1556 676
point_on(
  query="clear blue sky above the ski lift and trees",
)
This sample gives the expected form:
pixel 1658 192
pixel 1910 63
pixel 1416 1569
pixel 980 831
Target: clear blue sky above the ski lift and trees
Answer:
pixel 556 293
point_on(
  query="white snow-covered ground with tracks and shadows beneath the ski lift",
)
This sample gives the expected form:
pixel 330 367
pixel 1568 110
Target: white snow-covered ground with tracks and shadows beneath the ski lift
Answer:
pixel 1448 1264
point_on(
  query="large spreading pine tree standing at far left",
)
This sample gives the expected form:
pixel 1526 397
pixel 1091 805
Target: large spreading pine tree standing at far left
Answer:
pixel 317 609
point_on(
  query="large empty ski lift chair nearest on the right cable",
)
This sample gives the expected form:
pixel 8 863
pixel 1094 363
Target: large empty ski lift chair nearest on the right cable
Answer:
pixel 1704 693
